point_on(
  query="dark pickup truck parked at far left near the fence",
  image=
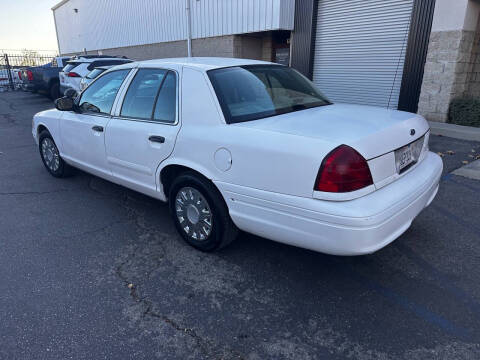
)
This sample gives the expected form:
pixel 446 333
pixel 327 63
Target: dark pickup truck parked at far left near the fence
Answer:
pixel 44 78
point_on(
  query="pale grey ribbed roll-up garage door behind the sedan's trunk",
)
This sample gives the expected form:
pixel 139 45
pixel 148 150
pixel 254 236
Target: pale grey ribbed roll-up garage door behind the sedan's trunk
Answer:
pixel 360 50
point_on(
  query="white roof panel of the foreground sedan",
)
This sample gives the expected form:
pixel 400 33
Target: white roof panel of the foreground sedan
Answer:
pixel 204 63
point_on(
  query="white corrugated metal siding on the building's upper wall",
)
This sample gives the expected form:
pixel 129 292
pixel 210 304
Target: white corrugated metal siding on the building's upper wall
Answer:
pixel 118 23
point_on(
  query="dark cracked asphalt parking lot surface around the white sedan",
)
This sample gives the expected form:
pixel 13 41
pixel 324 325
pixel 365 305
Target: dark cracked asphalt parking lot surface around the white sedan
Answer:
pixel 91 270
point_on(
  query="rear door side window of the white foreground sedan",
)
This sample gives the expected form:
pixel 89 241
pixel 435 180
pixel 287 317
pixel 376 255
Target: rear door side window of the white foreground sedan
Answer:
pixel 151 96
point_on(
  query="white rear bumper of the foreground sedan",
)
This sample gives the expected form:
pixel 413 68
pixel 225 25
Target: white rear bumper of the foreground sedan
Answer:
pixel 354 227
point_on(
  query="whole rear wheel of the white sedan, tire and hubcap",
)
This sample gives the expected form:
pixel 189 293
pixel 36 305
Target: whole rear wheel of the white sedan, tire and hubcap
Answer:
pixel 200 213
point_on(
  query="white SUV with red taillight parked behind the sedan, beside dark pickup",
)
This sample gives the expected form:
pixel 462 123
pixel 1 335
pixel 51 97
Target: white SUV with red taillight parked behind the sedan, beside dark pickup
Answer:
pixel 78 67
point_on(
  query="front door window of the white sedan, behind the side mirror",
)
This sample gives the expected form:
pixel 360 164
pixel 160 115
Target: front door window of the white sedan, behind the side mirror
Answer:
pixel 100 96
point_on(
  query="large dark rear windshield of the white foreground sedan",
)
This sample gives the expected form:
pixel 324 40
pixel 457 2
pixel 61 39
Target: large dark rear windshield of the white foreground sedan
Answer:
pixel 258 91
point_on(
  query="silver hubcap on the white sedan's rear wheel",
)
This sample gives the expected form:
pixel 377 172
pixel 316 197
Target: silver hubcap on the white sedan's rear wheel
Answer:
pixel 193 213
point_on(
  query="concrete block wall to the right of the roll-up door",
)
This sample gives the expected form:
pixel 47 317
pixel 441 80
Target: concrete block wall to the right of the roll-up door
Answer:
pixel 452 64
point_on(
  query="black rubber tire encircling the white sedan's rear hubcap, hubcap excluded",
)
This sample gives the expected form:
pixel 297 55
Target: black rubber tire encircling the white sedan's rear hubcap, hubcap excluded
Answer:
pixel 222 232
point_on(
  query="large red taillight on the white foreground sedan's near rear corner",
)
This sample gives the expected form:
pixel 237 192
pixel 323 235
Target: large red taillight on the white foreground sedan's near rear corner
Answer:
pixel 343 170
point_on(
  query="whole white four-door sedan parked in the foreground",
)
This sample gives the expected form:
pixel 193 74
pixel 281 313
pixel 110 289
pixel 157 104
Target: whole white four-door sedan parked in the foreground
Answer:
pixel 242 144
